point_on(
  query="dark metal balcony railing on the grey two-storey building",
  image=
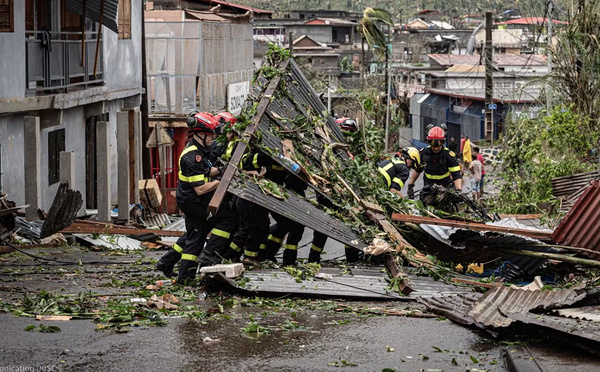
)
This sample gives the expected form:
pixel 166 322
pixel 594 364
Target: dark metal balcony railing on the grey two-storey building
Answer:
pixel 55 62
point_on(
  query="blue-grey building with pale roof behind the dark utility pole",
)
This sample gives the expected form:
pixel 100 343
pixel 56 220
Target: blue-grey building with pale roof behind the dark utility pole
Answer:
pixel 452 91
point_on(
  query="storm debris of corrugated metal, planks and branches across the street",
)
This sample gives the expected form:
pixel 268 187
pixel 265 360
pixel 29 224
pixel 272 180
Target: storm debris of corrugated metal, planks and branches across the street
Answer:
pixel 285 117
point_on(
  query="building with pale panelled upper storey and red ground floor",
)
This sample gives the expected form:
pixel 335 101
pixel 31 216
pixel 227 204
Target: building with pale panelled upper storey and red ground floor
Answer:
pixel 196 61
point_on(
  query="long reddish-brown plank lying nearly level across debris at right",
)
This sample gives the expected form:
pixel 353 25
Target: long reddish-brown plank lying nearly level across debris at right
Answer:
pixel 474 226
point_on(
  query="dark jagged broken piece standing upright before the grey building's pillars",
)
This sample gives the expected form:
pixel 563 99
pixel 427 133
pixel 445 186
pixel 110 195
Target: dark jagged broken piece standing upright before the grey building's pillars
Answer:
pixel 63 211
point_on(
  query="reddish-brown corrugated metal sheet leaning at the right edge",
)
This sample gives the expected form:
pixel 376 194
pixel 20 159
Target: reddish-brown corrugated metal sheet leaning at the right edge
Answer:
pixel 581 226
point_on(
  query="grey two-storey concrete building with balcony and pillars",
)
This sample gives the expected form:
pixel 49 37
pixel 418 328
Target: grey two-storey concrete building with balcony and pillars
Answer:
pixel 74 87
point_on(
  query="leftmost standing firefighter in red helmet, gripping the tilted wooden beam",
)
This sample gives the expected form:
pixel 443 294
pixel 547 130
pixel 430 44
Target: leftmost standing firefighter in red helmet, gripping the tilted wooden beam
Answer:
pixel 195 189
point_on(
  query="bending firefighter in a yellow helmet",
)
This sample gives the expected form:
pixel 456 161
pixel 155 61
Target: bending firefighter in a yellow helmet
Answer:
pixel 396 171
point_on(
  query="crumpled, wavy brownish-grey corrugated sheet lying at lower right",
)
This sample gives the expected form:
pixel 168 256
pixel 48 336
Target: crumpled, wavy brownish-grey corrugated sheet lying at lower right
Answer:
pixel 496 305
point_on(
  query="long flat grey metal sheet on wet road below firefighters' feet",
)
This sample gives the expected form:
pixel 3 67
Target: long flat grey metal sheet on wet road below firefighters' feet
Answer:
pixel 362 283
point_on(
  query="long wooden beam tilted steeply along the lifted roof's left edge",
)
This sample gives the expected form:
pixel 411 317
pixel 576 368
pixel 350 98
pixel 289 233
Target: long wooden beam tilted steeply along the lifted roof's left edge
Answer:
pixel 240 149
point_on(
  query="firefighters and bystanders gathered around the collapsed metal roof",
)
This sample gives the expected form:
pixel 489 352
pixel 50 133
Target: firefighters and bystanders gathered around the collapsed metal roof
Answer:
pixel 242 230
